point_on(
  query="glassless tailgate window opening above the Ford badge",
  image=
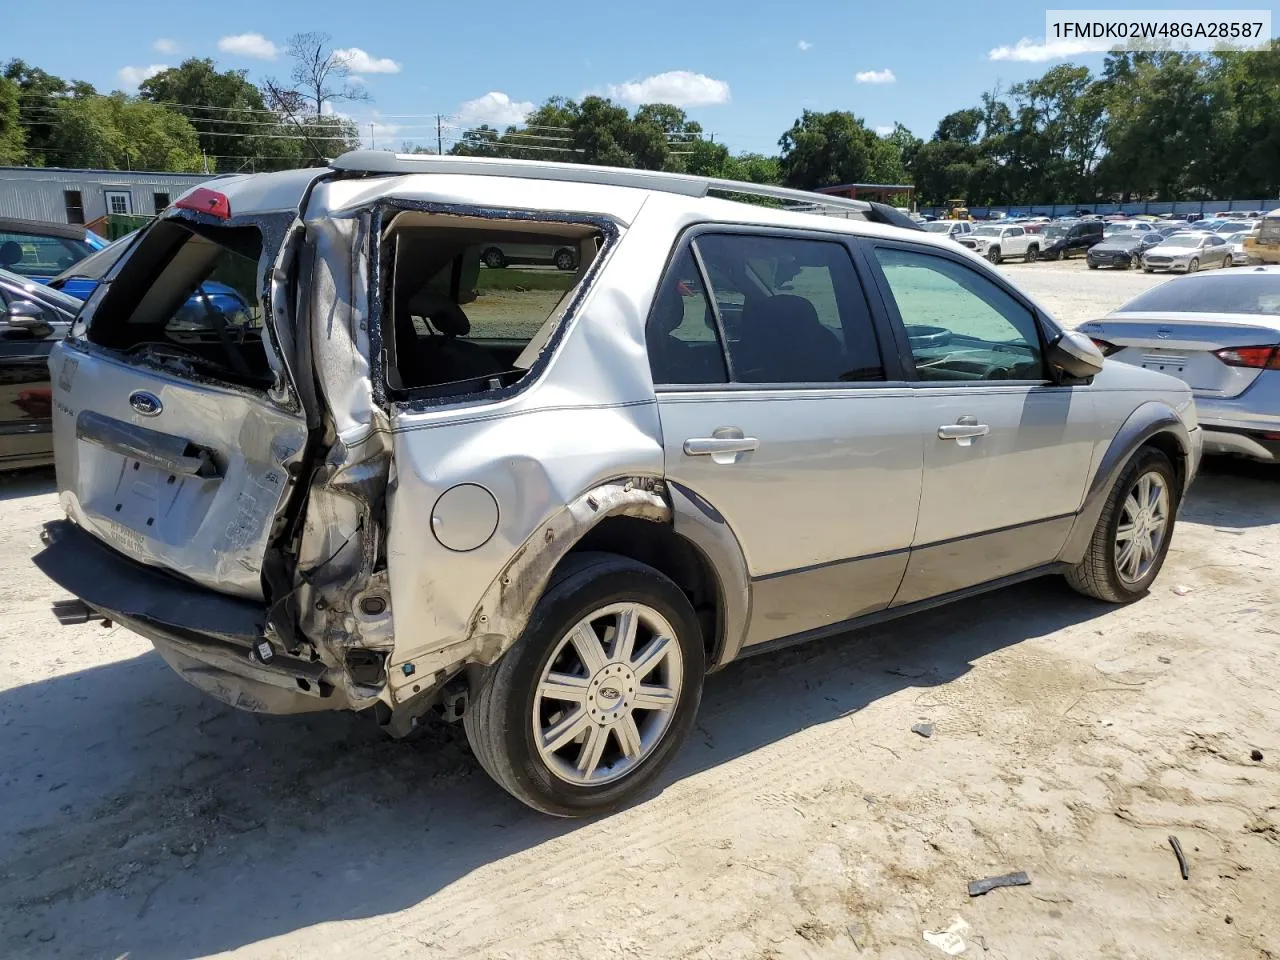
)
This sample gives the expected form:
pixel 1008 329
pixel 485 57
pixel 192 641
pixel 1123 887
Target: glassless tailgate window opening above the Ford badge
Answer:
pixel 189 300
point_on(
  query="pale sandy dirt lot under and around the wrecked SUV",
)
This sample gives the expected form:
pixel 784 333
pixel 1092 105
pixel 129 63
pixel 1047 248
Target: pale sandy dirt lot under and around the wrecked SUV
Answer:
pixel 804 820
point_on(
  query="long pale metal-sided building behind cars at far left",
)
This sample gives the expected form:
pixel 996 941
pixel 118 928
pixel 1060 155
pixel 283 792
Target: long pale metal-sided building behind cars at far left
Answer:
pixel 58 195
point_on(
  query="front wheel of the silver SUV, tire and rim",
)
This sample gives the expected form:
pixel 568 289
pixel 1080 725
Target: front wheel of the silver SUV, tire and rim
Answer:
pixel 1133 534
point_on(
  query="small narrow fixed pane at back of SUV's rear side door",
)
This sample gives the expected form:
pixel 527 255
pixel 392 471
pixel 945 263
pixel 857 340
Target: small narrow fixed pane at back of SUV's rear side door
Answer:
pixel 684 348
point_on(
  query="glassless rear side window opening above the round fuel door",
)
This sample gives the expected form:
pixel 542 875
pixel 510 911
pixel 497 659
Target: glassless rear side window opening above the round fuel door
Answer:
pixel 470 303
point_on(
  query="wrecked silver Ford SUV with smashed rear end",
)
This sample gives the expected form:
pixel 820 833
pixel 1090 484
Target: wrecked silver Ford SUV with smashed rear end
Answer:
pixel 550 504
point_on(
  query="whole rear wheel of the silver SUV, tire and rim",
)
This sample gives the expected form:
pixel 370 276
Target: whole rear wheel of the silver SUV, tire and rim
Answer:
pixel 597 696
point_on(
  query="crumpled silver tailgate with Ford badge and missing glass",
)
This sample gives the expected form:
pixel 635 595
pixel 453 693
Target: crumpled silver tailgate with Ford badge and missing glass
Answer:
pixel 177 424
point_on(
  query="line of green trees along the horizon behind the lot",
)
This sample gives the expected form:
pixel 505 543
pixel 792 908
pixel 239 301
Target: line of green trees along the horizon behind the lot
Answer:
pixel 1155 126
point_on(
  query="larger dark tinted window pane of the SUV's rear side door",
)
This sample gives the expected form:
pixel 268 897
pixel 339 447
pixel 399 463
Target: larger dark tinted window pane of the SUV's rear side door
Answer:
pixel 794 310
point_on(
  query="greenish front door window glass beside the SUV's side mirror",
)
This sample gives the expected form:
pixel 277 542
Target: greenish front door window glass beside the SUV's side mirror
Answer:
pixel 961 326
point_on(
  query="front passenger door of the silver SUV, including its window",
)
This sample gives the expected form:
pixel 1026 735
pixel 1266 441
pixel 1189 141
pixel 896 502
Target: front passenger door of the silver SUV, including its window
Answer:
pixel 1007 452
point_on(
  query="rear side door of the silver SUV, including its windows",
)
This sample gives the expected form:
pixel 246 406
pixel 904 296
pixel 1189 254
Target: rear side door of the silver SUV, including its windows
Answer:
pixel 780 410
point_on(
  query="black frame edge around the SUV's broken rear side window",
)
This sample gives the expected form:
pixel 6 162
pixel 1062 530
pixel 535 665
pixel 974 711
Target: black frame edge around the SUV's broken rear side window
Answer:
pixel 381 292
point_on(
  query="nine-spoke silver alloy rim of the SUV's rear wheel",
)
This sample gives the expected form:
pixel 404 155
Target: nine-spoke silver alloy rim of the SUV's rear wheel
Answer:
pixel 607 694
